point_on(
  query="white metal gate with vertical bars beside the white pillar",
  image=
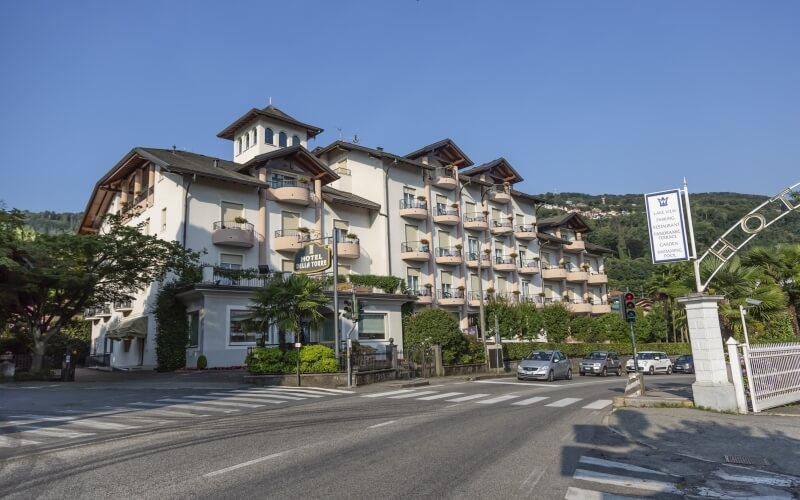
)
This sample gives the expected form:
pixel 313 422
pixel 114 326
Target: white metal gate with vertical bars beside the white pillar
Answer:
pixel 773 374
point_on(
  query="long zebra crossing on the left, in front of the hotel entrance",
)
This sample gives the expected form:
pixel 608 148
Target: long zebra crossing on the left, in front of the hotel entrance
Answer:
pixel 26 429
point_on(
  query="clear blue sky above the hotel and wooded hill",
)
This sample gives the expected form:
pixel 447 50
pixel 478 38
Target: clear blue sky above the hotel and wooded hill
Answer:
pixel 585 96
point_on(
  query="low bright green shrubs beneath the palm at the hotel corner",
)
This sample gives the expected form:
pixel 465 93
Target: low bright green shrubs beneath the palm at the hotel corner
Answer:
pixel 271 360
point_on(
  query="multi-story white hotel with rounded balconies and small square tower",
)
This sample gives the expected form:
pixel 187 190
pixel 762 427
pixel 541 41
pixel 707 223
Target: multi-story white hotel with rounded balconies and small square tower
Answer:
pixel 429 217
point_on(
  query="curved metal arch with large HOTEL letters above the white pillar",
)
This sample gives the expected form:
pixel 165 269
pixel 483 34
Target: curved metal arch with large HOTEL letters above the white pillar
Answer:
pixel 748 228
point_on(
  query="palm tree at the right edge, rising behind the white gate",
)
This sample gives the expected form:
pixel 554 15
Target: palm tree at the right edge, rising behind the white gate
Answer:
pixel 781 265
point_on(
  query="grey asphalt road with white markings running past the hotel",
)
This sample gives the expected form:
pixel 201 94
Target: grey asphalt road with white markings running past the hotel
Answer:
pixel 476 439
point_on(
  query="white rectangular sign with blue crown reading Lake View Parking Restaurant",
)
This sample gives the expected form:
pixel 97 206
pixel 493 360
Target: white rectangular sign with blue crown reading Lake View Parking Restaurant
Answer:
pixel 665 221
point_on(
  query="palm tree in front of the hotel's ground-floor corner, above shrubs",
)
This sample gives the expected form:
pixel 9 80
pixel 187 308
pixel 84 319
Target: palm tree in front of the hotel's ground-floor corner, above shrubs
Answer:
pixel 287 301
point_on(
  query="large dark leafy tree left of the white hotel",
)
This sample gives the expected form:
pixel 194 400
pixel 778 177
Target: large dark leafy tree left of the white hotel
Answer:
pixel 48 280
